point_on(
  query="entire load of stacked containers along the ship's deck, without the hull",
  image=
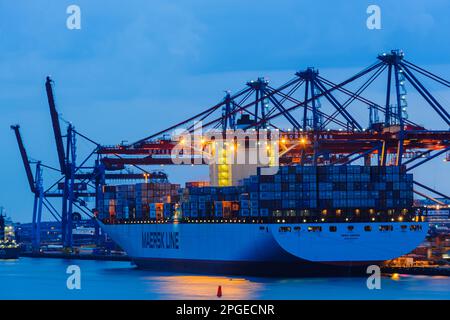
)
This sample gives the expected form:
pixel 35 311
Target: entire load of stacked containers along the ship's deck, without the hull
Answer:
pixel 295 191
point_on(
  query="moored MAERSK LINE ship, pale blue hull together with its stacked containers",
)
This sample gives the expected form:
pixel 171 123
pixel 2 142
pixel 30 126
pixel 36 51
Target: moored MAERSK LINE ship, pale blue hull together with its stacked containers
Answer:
pixel 303 220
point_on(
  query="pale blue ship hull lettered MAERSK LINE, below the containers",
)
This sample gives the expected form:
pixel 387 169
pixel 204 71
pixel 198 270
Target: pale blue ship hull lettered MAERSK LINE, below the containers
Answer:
pixel 265 249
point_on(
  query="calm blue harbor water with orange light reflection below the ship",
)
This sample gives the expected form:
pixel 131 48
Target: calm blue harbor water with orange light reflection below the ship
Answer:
pixel 32 278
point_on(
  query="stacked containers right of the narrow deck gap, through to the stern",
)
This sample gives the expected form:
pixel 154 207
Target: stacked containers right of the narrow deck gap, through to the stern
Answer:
pixel 307 191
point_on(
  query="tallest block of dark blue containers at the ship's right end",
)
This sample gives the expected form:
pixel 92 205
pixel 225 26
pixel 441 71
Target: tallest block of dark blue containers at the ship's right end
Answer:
pixel 339 190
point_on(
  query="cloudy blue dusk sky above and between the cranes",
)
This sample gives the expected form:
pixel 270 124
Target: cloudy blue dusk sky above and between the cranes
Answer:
pixel 139 66
